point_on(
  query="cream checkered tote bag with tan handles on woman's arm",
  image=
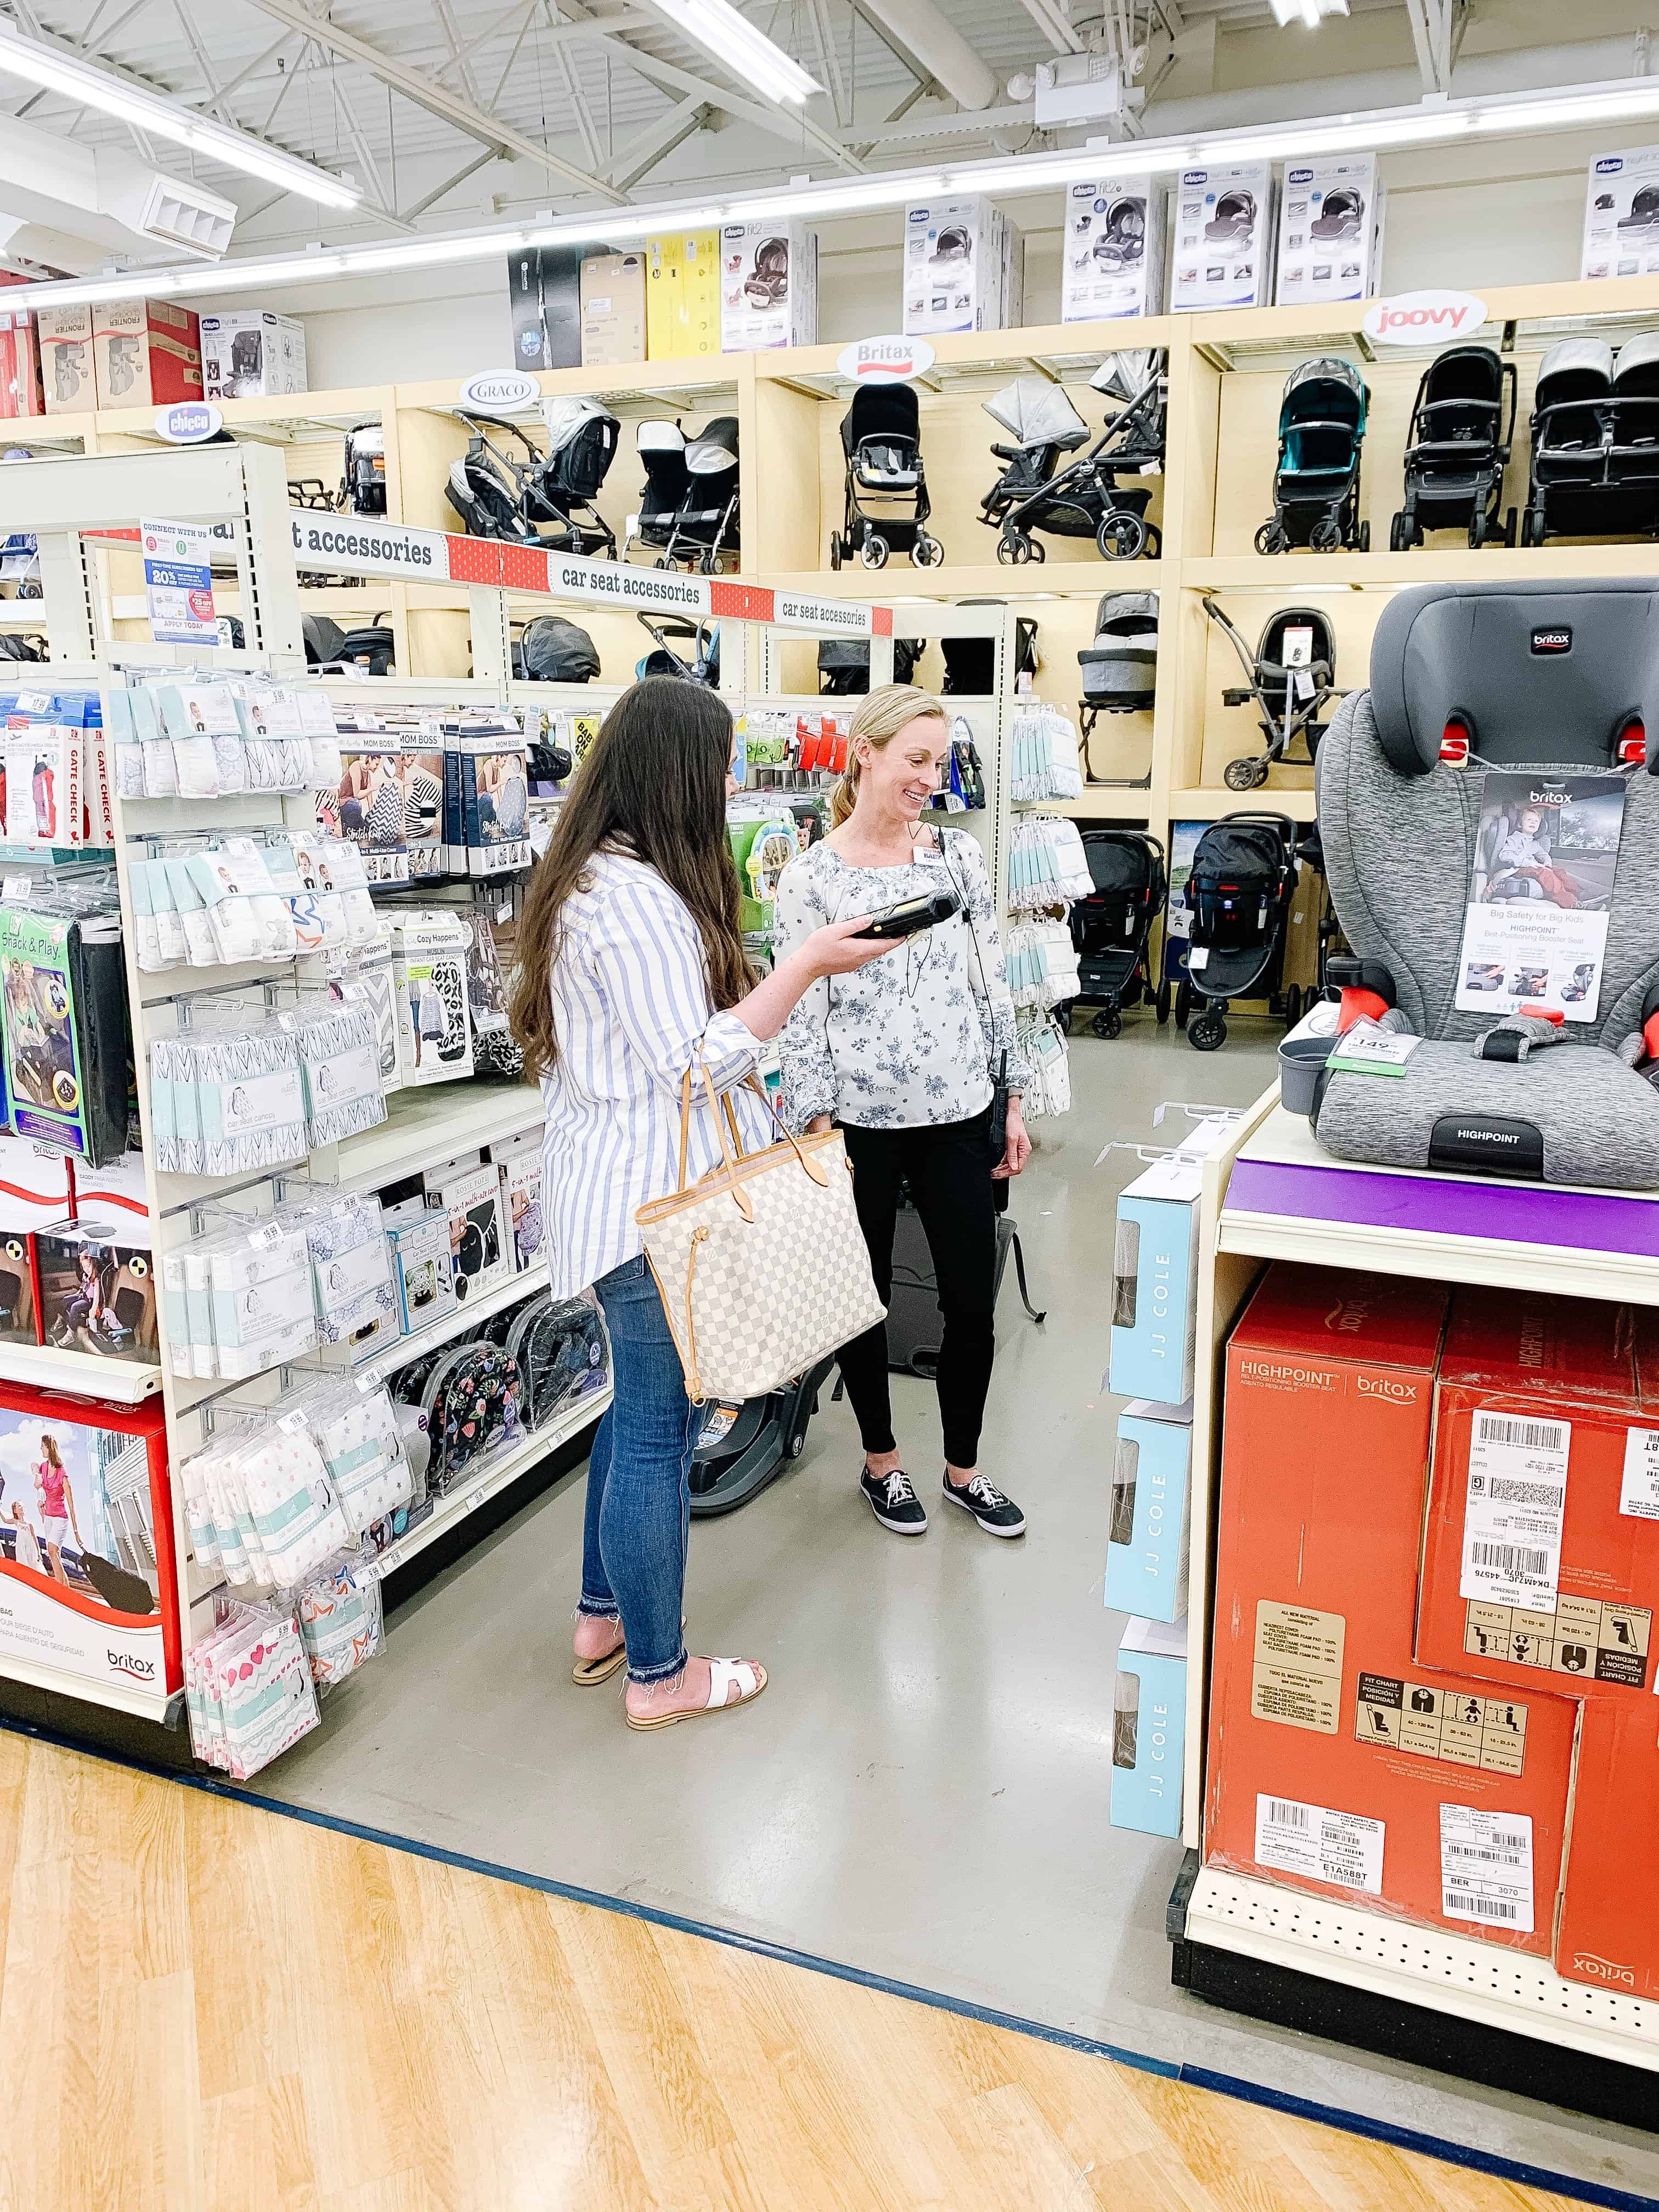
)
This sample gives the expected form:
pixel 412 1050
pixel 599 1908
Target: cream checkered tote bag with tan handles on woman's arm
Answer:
pixel 762 1264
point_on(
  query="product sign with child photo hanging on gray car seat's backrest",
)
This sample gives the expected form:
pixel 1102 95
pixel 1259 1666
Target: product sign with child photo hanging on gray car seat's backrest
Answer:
pixel 1536 926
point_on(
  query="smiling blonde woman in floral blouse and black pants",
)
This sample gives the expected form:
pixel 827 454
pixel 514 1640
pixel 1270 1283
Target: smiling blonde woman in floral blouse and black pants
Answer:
pixel 904 1056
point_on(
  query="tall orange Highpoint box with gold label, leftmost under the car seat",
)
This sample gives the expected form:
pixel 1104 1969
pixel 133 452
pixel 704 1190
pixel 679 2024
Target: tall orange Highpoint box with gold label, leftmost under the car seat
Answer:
pixel 1337 1766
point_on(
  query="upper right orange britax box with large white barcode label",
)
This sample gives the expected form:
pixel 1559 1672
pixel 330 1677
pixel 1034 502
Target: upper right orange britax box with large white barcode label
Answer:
pixel 1541 1558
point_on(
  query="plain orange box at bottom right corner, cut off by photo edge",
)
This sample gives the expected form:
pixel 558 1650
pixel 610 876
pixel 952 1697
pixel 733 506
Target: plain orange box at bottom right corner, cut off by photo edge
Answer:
pixel 1609 1921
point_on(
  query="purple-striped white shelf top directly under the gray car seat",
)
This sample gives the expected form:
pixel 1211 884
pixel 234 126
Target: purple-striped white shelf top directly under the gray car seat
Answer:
pixel 1291 1200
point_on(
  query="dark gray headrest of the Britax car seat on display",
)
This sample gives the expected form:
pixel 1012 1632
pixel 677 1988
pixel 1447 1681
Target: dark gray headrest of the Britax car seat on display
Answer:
pixel 1527 674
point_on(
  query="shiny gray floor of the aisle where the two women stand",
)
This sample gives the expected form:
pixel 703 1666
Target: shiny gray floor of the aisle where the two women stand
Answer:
pixel 924 1793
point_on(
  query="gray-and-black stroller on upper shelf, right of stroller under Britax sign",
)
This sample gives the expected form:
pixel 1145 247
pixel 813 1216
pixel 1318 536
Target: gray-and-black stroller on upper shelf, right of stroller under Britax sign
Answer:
pixel 1085 501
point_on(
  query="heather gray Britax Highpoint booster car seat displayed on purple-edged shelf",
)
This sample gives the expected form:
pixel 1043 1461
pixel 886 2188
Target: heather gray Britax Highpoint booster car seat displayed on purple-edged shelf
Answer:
pixel 1545 680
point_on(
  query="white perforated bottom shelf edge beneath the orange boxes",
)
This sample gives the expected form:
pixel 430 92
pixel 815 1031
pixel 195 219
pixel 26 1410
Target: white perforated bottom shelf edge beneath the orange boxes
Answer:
pixel 1477 1981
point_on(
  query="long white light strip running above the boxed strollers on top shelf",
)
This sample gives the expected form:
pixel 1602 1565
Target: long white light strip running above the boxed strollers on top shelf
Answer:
pixel 1377 129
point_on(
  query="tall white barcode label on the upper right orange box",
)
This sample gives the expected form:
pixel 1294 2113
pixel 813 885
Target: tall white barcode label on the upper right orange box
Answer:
pixel 1514 1512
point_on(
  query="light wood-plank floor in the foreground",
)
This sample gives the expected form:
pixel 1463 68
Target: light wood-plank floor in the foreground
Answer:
pixel 213 2010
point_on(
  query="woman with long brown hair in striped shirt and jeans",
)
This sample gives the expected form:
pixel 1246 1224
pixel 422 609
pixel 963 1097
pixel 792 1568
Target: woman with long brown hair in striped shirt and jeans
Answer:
pixel 632 972
